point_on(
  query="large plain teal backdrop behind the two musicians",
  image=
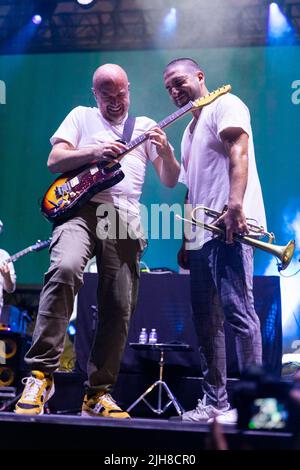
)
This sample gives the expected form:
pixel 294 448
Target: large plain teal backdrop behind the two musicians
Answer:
pixel 37 91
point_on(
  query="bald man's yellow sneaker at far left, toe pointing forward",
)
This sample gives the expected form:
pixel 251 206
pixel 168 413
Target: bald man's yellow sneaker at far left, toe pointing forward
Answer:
pixel 38 389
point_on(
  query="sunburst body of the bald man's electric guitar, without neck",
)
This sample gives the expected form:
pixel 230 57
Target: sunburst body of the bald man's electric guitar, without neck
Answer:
pixel 72 189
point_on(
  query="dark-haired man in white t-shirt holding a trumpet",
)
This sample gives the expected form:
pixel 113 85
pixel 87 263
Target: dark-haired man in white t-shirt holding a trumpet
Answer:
pixel 219 169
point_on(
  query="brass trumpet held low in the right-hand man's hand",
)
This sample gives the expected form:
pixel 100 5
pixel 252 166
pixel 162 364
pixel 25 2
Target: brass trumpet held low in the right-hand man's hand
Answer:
pixel 283 253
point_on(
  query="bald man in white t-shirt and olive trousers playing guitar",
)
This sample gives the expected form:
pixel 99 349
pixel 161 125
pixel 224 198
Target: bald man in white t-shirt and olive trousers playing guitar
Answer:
pixel 85 136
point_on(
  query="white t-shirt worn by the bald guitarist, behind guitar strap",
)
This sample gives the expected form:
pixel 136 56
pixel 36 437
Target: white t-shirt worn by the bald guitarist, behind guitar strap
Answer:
pixel 85 126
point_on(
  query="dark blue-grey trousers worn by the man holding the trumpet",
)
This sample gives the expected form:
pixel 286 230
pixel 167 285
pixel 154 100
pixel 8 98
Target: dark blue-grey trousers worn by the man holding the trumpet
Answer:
pixel 222 287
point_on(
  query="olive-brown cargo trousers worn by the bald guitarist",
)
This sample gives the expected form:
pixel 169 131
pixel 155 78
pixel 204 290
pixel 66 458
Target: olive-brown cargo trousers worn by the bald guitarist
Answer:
pixel 74 242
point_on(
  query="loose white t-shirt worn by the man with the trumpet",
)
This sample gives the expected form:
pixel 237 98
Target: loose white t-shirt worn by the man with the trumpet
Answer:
pixel 205 164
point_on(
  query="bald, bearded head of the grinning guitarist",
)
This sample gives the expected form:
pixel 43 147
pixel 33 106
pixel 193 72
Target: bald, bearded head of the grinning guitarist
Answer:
pixel 111 90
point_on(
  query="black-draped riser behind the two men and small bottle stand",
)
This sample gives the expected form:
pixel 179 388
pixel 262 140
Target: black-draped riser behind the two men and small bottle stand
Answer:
pixel 164 303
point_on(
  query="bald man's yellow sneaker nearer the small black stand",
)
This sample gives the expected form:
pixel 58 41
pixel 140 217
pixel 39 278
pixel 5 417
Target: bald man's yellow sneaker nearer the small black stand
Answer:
pixel 102 405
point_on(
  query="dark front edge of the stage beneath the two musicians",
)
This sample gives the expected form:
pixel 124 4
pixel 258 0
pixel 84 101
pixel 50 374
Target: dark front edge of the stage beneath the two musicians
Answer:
pixel 117 437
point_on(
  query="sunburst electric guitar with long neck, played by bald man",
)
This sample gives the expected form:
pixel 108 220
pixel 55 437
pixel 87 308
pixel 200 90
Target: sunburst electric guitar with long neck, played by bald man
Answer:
pixel 72 189
